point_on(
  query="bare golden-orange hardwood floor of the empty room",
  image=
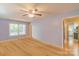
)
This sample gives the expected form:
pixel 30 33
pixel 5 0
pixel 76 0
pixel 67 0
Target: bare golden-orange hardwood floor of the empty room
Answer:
pixel 28 47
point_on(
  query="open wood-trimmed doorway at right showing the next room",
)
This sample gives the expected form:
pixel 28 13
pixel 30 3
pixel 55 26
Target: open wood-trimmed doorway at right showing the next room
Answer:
pixel 71 35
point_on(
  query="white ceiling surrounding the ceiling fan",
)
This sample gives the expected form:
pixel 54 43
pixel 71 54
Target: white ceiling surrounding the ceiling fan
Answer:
pixel 13 11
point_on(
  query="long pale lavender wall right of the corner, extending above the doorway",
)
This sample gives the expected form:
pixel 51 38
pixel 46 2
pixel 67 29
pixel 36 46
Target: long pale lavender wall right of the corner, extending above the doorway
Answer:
pixel 50 29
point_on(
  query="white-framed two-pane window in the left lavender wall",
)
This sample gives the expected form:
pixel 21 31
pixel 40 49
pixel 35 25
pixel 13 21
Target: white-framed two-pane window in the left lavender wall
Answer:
pixel 17 29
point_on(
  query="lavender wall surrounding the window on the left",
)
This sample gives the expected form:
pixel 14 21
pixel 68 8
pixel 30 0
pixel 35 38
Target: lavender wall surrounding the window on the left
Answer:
pixel 4 28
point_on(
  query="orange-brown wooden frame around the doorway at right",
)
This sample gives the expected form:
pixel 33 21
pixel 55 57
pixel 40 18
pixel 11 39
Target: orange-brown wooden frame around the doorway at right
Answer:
pixel 66 22
